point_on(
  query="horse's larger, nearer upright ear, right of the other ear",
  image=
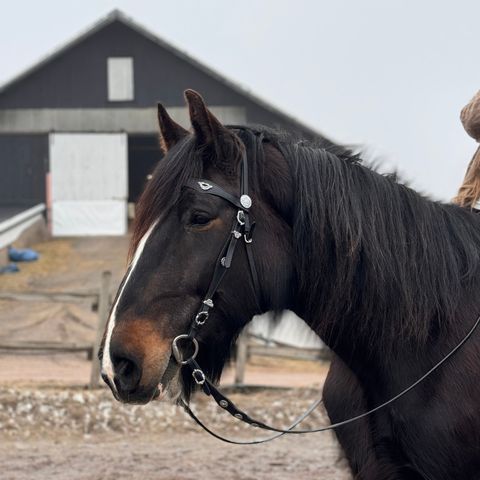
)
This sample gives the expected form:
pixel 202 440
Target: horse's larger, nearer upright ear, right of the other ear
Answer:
pixel 210 132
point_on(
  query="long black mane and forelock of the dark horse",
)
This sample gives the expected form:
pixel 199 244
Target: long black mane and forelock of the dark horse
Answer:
pixel 368 249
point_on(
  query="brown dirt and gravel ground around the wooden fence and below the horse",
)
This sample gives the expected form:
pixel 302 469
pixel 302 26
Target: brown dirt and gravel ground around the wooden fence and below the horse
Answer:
pixel 52 428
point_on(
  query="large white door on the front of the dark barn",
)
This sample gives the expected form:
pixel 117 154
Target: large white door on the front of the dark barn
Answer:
pixel 89 183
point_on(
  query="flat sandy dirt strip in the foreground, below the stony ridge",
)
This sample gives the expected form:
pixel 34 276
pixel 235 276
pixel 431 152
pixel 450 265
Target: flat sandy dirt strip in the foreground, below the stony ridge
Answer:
pixel 171 457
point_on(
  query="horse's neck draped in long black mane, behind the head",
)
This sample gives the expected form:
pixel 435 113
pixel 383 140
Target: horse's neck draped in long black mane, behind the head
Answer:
pixel 377 264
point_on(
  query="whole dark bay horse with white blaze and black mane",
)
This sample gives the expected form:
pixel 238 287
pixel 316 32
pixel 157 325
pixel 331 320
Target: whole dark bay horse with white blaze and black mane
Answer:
pixel 389 279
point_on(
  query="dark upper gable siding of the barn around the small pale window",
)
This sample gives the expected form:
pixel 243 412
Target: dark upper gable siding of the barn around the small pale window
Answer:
pixel 78 78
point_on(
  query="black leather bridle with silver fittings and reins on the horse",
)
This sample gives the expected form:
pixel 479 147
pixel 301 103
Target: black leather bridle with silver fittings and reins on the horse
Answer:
pixel 242 230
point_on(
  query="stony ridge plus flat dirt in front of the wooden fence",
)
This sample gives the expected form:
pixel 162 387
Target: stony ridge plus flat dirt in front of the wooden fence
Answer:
pixel 59 434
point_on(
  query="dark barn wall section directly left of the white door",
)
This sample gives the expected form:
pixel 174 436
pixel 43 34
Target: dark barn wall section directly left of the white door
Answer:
pixel 23 164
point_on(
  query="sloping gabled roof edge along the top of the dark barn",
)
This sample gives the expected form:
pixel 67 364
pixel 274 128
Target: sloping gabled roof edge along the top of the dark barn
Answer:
pixel 117 15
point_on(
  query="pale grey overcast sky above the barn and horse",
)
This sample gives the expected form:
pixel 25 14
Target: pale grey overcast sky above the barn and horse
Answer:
pixel 391 75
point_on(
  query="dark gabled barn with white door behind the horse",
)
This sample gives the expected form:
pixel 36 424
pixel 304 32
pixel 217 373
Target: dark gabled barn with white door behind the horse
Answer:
pixel 78 130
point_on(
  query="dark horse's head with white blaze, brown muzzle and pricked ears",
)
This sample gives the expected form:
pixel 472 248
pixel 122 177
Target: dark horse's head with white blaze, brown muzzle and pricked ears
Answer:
pixel 178 239
